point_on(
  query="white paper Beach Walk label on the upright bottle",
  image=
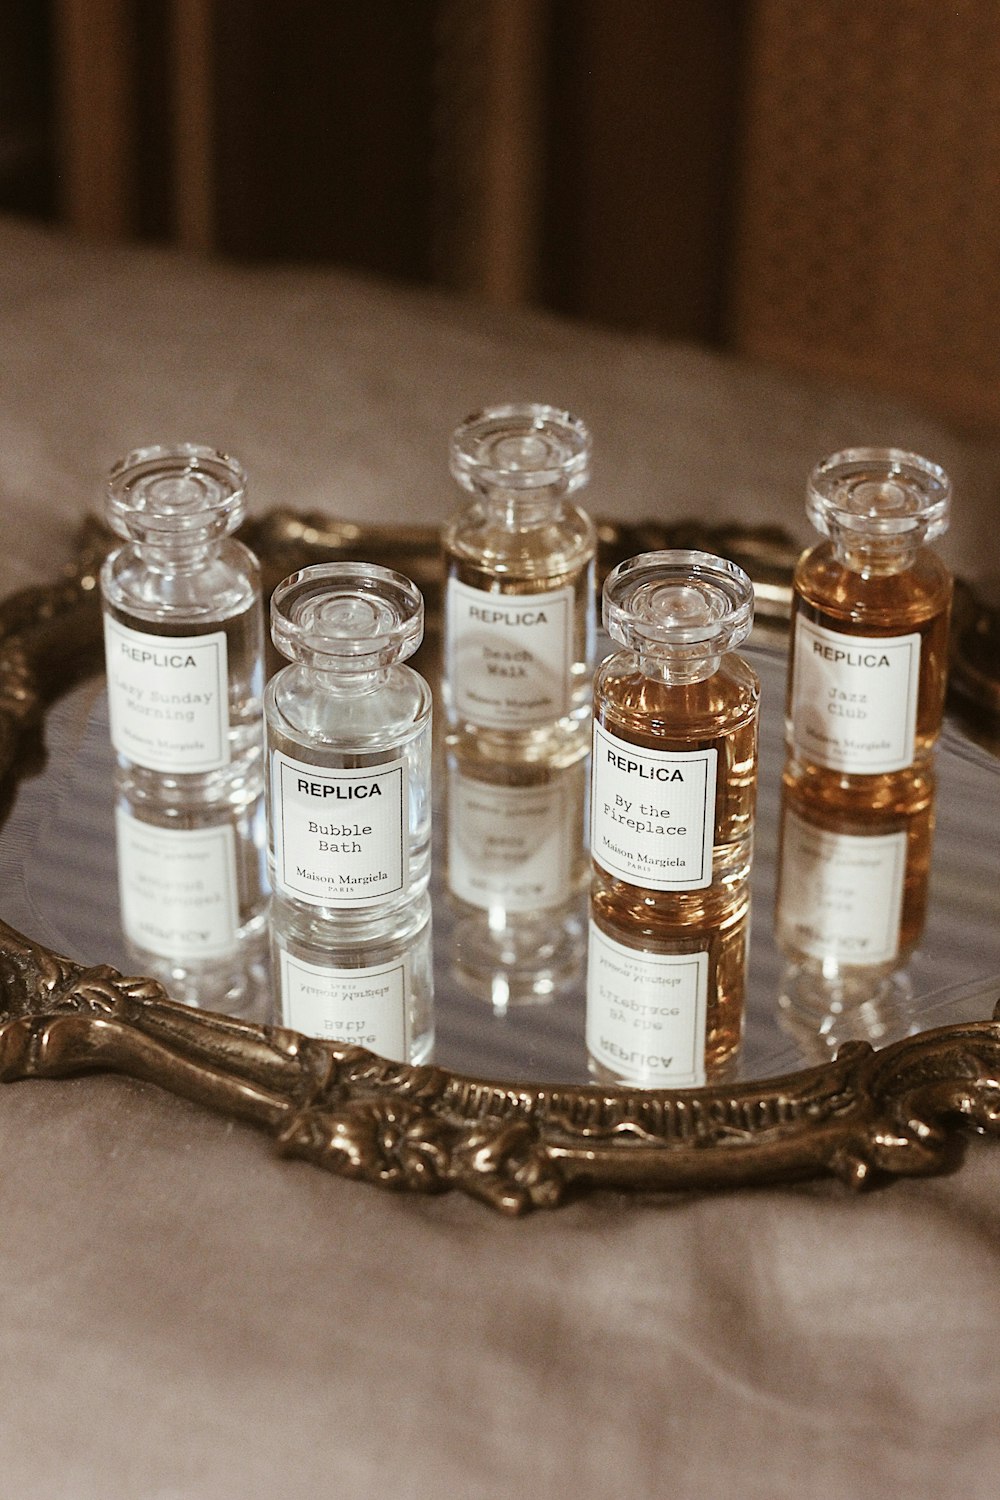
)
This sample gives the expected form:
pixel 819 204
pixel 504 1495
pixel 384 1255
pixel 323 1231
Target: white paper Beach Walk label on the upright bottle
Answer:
pixel 509 656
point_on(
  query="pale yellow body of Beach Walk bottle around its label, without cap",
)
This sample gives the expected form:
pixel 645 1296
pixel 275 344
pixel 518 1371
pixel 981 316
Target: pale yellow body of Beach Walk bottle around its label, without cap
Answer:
pixel 530 548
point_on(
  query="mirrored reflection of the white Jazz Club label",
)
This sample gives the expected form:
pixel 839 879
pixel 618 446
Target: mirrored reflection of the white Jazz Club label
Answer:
pixel 842 895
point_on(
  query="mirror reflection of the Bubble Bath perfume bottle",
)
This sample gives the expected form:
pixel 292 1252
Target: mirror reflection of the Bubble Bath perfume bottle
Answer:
pixel 367 982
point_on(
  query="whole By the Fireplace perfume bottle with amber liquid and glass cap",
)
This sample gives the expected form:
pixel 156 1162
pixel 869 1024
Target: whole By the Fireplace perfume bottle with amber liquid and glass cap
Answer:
pixel 675 743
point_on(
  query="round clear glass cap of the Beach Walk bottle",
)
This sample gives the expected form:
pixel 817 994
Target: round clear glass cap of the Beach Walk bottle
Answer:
pixel 521 448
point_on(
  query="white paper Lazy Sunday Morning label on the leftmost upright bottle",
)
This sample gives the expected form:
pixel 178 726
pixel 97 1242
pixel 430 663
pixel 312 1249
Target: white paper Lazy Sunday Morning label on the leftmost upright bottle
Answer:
pixel 169 700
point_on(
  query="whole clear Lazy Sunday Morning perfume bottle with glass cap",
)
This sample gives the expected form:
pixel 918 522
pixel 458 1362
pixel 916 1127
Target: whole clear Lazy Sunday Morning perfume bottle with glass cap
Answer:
pixel 184 629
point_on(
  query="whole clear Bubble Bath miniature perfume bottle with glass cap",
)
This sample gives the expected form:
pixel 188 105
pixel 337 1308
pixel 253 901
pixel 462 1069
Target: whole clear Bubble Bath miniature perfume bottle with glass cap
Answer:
pixel 349 742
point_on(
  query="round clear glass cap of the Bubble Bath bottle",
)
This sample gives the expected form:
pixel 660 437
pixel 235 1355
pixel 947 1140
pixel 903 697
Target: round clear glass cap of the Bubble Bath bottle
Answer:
pixel 349 616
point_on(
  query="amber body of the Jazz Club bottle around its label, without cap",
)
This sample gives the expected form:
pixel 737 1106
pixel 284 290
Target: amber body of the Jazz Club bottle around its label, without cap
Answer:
pixel 843 599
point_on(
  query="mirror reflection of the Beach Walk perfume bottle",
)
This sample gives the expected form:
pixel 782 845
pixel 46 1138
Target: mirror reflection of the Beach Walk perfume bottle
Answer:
pixel 516 872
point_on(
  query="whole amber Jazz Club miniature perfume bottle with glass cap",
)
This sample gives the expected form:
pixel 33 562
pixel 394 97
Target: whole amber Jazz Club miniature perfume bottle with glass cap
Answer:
pixel 869 661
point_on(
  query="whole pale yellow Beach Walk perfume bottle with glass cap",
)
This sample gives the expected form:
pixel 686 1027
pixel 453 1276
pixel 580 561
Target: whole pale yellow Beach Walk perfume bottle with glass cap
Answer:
pixel 519 610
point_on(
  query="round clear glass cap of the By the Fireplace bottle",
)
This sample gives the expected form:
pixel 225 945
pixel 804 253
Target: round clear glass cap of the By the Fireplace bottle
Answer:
pixel 678 604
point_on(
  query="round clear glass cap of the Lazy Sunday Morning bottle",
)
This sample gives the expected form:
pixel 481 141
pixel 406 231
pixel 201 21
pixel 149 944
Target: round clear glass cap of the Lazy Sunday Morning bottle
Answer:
pixel 176 491
